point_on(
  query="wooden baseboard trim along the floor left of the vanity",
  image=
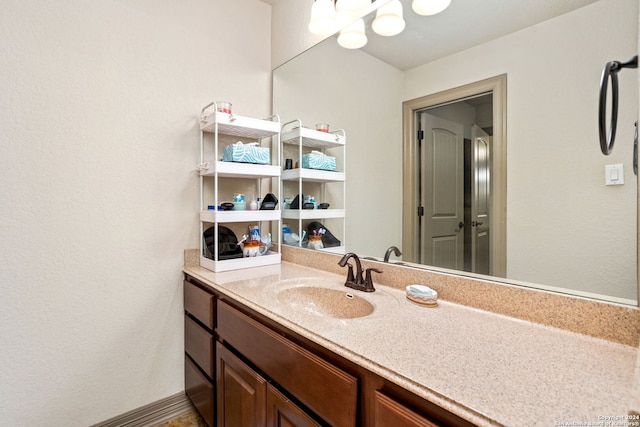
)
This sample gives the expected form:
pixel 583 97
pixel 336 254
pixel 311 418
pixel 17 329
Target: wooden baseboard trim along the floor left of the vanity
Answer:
pixel 152 414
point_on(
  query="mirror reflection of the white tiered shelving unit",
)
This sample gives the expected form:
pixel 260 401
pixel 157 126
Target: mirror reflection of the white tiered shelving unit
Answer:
pixel 325 182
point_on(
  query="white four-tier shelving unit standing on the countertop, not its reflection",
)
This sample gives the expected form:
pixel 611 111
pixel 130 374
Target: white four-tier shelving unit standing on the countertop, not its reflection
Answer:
pixel 219 179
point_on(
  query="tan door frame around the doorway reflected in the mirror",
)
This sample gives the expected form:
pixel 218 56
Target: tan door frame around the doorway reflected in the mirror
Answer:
pixel 498 87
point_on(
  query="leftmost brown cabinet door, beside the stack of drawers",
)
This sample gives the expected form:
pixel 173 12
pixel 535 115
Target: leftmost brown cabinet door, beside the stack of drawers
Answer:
pixel 241 392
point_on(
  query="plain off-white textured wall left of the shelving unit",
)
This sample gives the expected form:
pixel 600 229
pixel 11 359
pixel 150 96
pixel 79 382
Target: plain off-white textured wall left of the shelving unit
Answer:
pixel 98 108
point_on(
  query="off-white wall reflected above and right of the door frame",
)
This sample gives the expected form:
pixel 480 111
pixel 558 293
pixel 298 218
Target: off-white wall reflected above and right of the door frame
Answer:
pixel 544 170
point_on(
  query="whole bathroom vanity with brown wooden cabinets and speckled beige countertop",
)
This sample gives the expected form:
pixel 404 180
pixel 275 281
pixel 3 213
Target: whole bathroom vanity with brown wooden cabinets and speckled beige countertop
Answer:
pixel 290 345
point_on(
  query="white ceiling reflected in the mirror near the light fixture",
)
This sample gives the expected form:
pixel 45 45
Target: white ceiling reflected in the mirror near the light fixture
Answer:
pixel 466 23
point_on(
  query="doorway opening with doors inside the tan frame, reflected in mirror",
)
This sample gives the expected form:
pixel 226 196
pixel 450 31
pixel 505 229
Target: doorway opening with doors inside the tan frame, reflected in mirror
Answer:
pixel 454 178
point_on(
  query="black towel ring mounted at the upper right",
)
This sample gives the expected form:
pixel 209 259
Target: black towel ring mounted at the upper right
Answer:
pixel 610 72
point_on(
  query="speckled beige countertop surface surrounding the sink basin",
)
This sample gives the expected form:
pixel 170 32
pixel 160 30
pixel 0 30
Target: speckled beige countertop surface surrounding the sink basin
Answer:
pixel 484 367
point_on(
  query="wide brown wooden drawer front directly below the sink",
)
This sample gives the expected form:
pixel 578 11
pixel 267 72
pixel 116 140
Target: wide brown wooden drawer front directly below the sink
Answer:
pixel 323 388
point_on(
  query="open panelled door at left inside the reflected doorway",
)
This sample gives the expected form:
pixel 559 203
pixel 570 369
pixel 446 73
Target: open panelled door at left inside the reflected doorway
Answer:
pixel 441 192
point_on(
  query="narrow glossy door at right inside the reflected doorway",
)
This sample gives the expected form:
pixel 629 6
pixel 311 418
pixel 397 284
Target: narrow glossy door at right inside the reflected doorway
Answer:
pixel 481 201
